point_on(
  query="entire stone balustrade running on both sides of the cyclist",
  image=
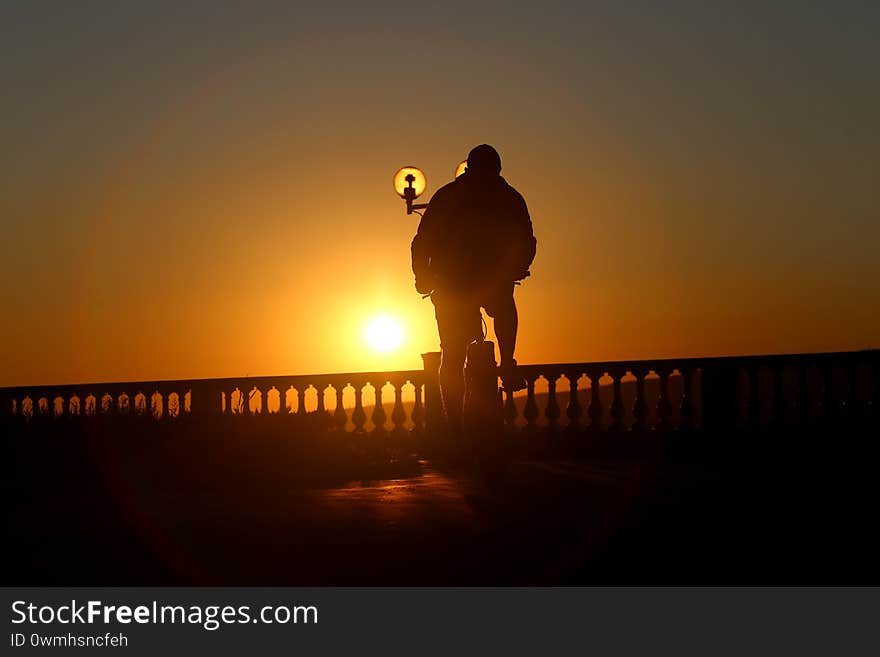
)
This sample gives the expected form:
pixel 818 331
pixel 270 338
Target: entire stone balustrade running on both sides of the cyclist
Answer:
pixel 689 394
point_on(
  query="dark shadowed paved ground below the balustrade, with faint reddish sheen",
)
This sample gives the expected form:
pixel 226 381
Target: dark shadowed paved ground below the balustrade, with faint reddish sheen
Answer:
pixel 798 514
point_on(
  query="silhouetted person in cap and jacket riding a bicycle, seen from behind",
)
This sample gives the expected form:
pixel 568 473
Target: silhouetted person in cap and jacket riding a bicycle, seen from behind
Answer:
pixel 474 242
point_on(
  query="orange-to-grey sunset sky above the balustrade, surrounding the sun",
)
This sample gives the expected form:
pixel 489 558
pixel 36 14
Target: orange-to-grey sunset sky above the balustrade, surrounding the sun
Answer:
pixel 205 190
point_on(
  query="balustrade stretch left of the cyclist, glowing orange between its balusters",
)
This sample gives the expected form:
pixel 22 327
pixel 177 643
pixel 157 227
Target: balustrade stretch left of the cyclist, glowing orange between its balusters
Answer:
pixel 349 402
